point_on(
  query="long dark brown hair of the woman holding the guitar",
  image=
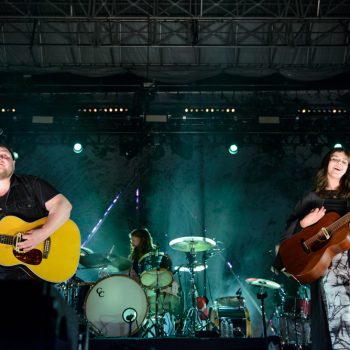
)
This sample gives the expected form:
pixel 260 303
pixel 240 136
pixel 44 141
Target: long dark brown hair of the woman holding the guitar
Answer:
pixel 321 181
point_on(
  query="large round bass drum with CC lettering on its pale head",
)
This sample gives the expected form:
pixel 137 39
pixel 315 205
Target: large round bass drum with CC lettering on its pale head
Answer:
pixel 116 306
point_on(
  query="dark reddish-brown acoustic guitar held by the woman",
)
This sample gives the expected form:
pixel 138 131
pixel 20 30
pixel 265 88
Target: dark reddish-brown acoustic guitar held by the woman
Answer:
pixel 307 255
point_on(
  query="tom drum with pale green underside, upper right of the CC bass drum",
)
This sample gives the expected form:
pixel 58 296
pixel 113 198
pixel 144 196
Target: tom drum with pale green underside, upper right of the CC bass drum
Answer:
pixel 155 270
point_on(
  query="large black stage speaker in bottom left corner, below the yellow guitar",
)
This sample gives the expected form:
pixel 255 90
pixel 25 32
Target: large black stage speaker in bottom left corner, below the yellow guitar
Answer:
pixel 35 316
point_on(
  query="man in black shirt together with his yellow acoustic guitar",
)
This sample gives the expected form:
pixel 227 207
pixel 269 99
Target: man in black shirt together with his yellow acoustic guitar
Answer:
pixel 31 211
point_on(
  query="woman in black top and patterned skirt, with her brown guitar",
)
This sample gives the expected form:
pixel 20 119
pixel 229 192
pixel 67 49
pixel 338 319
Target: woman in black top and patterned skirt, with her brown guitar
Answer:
pixel 315 250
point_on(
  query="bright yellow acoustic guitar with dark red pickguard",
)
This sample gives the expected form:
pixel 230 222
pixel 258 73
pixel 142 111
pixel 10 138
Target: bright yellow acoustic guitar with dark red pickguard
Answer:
pixel 54 260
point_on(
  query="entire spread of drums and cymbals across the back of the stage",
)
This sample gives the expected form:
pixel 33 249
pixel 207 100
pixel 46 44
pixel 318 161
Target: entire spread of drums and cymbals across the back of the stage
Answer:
pixel 154 306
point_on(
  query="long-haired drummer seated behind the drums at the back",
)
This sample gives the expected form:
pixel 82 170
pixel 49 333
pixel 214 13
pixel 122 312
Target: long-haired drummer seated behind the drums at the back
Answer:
pixel 141 243
